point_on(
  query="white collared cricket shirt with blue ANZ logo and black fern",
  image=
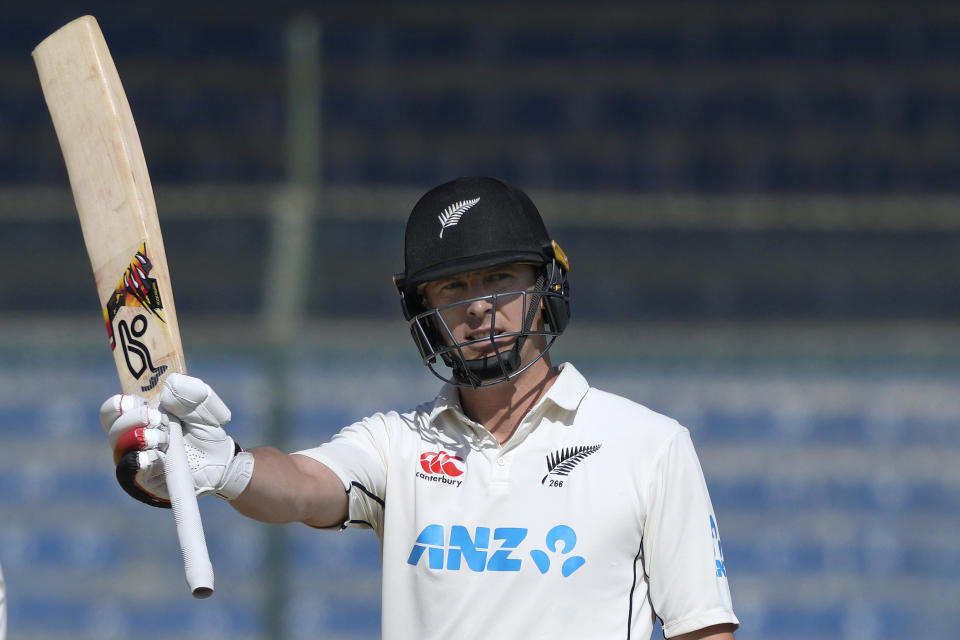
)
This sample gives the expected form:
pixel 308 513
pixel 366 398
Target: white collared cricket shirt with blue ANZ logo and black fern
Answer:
pixel 592 519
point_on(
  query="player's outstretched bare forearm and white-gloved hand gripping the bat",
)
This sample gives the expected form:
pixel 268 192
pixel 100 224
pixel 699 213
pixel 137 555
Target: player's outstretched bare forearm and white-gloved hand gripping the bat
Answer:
pixel 264 484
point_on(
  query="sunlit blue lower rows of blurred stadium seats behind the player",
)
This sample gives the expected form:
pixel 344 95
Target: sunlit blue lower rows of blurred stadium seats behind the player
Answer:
pixel 826 507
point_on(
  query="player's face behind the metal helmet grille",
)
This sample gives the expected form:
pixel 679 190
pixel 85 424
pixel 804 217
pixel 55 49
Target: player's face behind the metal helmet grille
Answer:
pixel 472 316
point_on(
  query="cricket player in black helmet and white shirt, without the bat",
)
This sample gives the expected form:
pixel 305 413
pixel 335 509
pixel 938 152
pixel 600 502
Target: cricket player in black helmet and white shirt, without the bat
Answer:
pixel 520 502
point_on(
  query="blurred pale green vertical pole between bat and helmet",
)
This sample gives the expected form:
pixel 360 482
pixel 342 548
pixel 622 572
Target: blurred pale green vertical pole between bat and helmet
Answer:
pixel 285 284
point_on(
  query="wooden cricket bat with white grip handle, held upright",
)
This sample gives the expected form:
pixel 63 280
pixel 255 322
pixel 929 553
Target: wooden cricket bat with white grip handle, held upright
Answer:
pixel 118 215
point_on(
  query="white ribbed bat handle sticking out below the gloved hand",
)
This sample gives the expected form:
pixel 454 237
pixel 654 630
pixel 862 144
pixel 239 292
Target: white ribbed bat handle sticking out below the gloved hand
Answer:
pixel 186 516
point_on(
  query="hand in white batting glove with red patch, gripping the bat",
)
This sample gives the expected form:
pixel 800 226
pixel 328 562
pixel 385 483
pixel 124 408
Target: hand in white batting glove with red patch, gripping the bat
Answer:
pixel 138 435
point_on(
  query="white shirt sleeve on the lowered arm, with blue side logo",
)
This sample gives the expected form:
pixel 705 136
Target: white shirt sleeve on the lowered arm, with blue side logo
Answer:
pixel 682 554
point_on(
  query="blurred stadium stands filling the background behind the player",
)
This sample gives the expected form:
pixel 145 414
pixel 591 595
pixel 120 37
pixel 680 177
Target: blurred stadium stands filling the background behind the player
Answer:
pixel 759 201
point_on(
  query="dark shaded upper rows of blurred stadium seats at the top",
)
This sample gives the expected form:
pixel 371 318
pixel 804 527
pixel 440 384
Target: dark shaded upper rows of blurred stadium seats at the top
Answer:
pixel 671 98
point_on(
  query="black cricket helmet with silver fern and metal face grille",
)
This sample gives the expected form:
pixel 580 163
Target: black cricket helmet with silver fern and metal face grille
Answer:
pixel 466 225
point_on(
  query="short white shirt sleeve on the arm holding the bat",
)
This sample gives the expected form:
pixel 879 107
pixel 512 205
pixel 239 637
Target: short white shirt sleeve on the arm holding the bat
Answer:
pixel 358 456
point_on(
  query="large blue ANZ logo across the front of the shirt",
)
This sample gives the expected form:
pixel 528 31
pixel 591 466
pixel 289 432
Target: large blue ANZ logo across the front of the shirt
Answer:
pixel 496 549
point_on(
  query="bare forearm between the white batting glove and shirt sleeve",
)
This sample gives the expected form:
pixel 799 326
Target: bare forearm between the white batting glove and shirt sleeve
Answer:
pixel 288 488
